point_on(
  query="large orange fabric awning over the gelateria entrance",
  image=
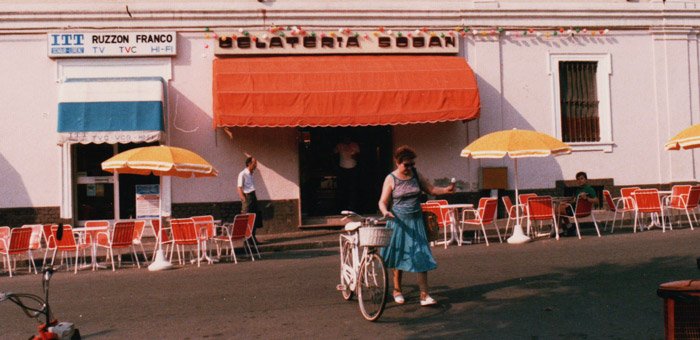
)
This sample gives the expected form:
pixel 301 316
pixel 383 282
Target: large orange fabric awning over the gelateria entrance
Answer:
pixel 343 91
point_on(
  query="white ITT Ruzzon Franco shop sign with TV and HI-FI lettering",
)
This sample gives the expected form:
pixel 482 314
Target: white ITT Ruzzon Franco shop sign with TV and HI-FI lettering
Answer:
pixel 111 44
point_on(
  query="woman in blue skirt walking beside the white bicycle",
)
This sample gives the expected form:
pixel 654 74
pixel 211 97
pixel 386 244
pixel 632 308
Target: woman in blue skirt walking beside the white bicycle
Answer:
pixel 408 249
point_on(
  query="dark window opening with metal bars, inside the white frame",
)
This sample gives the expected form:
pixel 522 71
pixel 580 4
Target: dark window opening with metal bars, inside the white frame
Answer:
pixel 579 101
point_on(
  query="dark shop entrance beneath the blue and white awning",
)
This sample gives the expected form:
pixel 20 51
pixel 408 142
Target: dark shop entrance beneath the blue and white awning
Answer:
pixel 95 189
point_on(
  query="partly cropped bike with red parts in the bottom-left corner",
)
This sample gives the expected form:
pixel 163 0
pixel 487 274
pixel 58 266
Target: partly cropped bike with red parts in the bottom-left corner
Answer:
pixel 51 328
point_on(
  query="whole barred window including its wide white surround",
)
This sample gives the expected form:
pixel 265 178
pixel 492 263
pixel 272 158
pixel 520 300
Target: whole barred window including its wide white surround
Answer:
pixel 581 100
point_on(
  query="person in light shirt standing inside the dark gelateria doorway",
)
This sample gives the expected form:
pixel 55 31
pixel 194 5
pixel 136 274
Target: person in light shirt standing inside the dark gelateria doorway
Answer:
pixel 348 174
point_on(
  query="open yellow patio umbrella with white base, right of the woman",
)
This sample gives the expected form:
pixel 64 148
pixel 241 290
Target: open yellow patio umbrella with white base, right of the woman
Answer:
pixel 516 144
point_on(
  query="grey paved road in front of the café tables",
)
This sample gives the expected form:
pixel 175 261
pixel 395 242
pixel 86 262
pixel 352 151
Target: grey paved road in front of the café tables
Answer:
pixel 592 288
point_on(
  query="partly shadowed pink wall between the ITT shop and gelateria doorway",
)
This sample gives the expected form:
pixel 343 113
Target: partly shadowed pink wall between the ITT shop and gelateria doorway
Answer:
pixel 191 127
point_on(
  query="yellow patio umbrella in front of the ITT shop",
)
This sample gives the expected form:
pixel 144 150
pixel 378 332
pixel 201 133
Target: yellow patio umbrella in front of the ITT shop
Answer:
pixel 161 161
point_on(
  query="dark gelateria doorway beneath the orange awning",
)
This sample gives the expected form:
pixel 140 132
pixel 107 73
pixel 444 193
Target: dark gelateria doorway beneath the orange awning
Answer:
pixel 326 188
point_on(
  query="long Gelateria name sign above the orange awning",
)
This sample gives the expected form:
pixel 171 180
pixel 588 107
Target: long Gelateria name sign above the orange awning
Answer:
pixel 365 43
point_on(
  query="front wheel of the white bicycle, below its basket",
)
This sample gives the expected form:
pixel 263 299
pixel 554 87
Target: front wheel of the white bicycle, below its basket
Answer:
pixel 372 287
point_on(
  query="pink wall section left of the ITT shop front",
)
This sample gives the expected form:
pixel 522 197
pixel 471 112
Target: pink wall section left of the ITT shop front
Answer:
pixel 29 156
